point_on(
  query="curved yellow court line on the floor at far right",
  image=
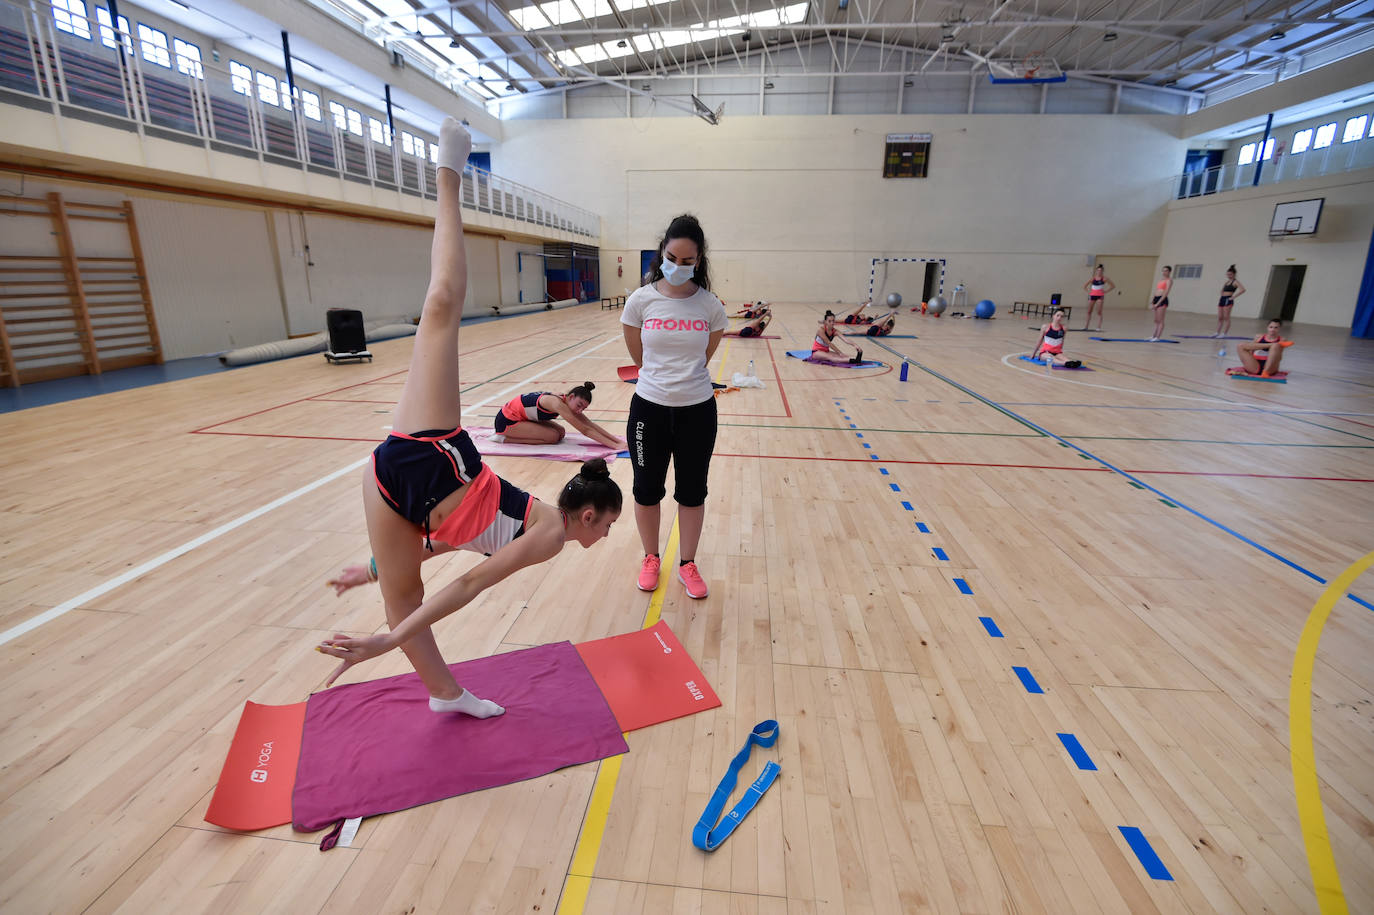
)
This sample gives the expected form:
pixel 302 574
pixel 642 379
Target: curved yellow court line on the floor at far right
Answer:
pixel 1307 787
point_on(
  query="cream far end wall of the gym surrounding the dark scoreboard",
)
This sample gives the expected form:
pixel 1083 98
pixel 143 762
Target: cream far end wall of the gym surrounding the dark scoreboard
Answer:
pixel 796 207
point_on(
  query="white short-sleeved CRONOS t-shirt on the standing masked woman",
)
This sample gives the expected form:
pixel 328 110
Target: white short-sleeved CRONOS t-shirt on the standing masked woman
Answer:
pixel 675 333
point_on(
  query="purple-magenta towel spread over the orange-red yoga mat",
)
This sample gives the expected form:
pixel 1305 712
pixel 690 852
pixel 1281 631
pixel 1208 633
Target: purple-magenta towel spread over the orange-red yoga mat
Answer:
pixel 374 748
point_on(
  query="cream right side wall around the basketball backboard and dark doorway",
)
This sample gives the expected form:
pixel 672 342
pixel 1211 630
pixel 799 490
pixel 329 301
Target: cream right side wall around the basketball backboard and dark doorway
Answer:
pixel 1233 229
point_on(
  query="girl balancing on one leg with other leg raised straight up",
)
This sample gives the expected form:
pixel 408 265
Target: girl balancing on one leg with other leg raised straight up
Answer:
pixel 432 486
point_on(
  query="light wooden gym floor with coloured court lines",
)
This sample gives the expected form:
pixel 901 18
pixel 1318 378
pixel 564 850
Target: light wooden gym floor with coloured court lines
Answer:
pixel 851 516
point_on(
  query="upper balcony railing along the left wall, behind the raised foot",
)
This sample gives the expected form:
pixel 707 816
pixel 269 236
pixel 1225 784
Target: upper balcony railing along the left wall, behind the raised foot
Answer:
pixel 45 68
